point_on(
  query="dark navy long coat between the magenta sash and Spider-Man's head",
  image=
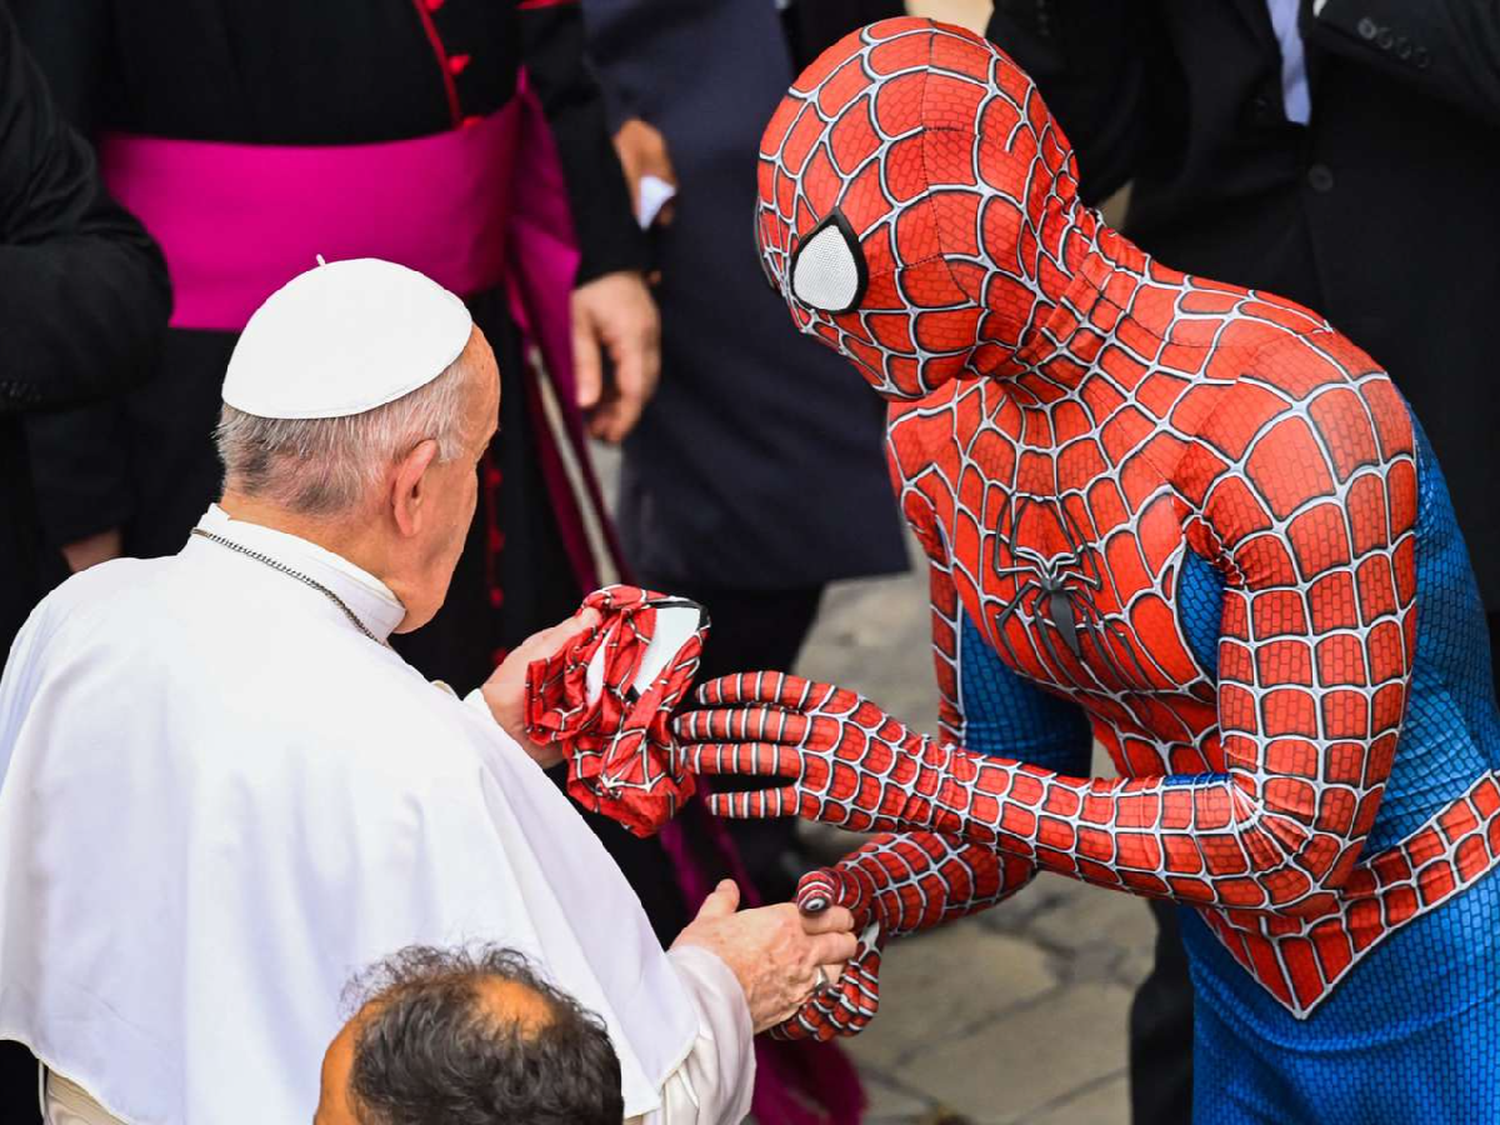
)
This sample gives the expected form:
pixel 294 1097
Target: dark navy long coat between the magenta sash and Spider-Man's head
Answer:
pixel 760 463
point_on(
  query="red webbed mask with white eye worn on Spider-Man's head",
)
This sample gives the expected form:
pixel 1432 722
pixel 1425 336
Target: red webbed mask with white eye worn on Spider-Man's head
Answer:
pixel 919 205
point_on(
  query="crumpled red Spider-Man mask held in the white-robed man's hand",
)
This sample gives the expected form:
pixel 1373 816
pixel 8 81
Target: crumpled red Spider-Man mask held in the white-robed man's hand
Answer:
pixel 607 698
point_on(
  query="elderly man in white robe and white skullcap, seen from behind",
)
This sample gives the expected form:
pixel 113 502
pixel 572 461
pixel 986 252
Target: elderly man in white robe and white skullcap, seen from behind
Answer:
pixel 221 791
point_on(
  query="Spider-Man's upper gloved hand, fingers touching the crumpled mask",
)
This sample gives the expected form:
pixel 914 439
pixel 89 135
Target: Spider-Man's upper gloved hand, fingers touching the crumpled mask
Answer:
pixel 850 763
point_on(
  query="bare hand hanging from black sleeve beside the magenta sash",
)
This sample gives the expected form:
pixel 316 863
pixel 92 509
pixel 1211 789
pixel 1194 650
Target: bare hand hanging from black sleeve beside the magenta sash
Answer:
pixel 616 316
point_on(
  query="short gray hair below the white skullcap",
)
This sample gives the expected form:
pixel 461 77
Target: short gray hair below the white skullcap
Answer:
pixel 323 467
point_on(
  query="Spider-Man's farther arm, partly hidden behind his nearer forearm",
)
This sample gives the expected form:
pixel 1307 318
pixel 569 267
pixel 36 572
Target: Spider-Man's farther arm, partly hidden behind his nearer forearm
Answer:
pixel 904 884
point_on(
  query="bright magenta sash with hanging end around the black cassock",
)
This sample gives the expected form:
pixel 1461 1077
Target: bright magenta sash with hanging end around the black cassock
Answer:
pixel 475 209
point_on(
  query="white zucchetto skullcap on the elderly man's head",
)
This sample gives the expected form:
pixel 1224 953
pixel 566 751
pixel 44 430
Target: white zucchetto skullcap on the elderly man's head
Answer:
pixel 343 340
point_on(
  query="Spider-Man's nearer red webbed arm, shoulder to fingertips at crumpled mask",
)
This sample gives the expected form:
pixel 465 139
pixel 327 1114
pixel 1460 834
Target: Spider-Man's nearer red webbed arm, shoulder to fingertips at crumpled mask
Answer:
pixel 1309 511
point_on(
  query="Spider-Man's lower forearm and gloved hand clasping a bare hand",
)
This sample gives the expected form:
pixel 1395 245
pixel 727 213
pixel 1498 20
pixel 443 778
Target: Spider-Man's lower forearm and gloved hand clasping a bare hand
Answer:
pixel 893 886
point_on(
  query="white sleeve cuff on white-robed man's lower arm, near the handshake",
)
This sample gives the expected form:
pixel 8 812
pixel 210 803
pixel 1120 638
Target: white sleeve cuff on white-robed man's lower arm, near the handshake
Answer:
pixel 715 1084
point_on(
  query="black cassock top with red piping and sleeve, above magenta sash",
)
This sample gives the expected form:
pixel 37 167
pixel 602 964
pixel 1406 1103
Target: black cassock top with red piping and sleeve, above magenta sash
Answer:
pixel 335 73
